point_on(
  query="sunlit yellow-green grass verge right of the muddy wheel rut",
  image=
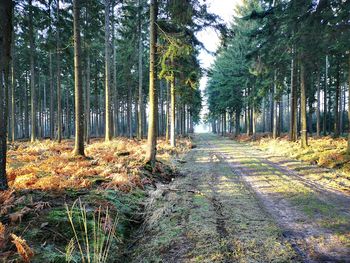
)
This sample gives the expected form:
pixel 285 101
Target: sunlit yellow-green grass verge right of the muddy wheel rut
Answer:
pixel 303 198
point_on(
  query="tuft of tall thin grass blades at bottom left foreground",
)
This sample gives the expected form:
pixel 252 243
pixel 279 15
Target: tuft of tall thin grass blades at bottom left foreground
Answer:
pixel 94 238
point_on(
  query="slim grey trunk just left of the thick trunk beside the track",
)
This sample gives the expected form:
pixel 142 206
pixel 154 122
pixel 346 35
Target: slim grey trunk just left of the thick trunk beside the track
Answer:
pixel 140 97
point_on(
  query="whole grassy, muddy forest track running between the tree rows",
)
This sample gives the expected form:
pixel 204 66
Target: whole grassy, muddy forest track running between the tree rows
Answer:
pixel 236 205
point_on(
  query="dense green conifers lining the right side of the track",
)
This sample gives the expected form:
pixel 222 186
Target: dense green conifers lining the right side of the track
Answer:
pixel 284 67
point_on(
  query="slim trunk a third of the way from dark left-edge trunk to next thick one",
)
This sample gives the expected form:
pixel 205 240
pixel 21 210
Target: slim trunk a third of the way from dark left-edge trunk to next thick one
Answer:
pixel 32 74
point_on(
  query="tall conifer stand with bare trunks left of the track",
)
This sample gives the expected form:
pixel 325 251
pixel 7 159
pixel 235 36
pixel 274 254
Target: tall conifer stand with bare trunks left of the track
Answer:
pixel 93 54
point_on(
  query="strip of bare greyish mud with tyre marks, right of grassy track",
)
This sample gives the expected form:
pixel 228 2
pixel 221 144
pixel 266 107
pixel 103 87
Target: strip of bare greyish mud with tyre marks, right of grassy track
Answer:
pixel 296 230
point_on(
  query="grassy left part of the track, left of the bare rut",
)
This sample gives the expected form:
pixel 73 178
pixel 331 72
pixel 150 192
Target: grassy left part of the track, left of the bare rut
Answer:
pixel 184 223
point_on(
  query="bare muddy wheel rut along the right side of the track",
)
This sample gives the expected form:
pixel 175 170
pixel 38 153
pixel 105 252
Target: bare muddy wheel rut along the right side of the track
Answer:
pixel 298 230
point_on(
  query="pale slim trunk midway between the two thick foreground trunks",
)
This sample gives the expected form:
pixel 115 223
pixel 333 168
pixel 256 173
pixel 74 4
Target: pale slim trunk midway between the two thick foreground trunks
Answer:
pixel 108 117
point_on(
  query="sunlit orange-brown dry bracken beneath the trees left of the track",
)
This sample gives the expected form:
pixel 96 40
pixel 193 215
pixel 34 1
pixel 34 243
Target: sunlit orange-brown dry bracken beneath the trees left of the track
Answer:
pixel 47 165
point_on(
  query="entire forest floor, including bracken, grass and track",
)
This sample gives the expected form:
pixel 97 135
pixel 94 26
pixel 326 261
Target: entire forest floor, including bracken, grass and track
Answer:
pixel 221 201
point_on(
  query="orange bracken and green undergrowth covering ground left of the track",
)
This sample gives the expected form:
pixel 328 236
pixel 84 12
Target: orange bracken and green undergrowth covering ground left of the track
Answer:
pixel 44 177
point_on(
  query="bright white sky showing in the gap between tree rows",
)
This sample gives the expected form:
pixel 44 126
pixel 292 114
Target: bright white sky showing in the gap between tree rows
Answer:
pixel 211 40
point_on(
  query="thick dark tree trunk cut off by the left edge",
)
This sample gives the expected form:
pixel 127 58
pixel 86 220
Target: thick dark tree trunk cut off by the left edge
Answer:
pixel 6 10
